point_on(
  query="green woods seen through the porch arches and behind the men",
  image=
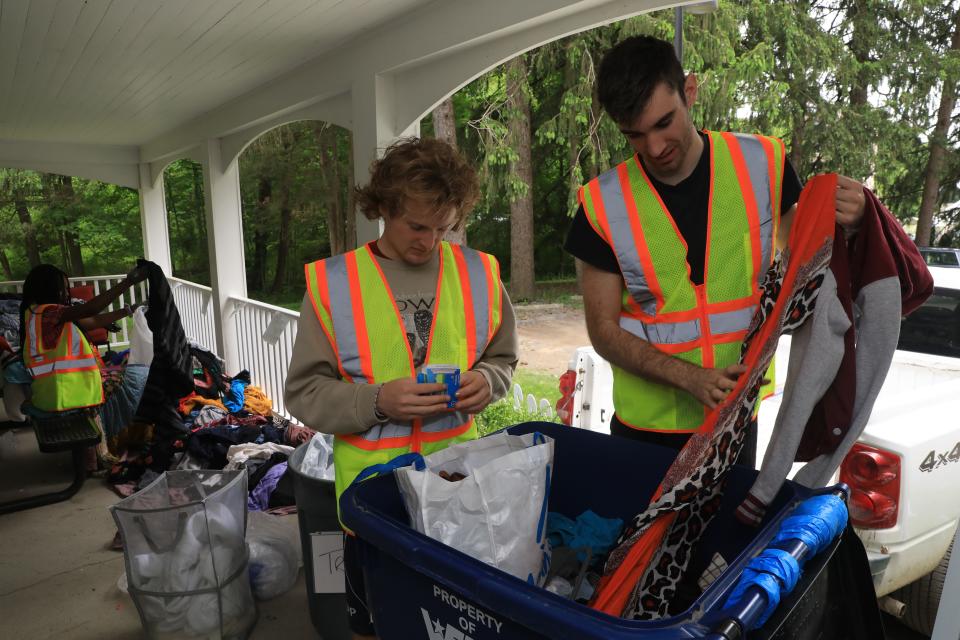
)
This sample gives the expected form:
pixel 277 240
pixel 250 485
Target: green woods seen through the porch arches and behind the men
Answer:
pixel 851 86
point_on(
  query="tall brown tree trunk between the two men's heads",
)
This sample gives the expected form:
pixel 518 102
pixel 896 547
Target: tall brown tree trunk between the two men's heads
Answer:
pixel 521 170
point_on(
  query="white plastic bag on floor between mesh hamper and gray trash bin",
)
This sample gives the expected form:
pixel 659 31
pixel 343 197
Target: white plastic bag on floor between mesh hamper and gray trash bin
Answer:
pixel 275 554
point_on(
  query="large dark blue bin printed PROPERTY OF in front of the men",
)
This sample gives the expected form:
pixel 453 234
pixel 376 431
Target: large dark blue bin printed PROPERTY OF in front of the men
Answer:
pixel 420 588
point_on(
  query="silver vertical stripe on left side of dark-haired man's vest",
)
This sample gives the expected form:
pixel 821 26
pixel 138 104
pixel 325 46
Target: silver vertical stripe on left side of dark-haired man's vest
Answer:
pixel 623 241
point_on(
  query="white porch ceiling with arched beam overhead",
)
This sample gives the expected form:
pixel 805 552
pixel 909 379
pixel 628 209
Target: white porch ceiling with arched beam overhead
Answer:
pixel 94 87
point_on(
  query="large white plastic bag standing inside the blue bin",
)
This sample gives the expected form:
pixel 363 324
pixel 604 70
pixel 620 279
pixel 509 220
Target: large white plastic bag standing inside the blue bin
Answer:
pixel 498 512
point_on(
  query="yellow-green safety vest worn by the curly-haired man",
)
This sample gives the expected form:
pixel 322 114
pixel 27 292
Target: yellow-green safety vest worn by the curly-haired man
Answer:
pixel 359 315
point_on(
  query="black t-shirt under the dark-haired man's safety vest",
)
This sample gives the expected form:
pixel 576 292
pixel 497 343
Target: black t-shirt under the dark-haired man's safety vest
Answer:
pixel 687 202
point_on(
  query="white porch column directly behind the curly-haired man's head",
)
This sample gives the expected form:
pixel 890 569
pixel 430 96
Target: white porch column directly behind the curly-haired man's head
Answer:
pixel 375 126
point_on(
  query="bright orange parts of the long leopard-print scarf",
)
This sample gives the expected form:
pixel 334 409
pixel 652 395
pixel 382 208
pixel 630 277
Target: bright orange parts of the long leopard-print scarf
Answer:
pixel 815 210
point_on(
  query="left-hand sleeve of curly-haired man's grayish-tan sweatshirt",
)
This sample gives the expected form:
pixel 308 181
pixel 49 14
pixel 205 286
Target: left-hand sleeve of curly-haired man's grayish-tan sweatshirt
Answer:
pixel 315 392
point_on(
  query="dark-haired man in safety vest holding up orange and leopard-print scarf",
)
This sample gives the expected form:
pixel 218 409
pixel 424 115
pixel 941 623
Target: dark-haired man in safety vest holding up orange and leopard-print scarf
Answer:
pixel 674 242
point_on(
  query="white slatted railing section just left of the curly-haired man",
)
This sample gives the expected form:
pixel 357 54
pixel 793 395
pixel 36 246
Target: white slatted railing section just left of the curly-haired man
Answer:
pixel 266 334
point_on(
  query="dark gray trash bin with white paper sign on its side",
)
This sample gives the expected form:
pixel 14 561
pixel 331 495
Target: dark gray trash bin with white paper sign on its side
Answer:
pixel 322 541
